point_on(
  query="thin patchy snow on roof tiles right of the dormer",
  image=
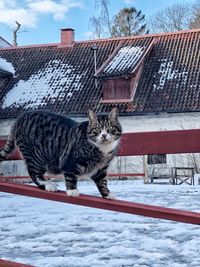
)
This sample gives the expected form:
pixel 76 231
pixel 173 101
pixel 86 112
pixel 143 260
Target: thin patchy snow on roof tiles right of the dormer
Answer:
pixel 166 73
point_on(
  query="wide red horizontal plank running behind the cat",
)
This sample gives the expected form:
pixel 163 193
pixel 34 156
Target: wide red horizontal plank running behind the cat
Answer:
pixel 165 142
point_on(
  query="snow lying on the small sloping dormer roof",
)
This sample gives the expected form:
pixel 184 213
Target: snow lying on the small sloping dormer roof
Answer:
pixel 125 58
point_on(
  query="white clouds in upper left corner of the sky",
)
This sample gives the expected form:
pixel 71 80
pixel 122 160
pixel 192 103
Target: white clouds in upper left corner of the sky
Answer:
pixel 28 12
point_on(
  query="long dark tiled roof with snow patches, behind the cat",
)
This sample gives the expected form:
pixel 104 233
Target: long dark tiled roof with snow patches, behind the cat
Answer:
pixel 61 79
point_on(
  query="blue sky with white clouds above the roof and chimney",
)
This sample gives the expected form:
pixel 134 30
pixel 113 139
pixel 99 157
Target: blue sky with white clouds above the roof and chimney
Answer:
pixel 42 19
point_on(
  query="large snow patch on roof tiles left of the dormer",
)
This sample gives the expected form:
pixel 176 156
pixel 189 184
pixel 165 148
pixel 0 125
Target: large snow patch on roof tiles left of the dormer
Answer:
pixel 42 87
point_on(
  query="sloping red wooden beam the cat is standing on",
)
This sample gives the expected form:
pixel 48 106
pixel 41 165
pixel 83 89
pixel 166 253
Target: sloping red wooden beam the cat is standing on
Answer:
pixel 101 203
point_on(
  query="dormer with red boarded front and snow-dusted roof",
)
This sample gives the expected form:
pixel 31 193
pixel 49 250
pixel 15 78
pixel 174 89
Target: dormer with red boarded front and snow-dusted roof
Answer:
pixel 121 72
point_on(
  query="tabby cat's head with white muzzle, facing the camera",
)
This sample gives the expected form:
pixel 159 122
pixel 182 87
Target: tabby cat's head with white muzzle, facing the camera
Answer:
pixel 104 129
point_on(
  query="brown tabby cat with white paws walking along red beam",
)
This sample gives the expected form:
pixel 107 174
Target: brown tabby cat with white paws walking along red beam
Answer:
pixel 56 144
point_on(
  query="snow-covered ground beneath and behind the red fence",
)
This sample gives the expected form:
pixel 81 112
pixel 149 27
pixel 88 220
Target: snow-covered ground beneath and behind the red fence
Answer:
pixel 50 234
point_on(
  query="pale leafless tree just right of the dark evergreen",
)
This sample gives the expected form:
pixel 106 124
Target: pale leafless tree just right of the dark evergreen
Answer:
pixel 173 18
